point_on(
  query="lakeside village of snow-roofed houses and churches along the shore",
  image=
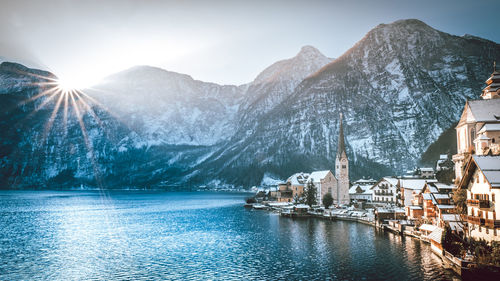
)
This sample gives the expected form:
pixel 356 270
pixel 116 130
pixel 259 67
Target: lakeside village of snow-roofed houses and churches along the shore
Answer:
pixel 452 205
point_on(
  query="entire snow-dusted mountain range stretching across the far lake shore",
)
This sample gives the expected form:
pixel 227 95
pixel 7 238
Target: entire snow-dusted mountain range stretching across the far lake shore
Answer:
pixel 399 88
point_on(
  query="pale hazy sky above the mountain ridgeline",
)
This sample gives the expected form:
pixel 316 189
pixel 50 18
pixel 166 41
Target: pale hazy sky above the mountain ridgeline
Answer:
pixel 226 42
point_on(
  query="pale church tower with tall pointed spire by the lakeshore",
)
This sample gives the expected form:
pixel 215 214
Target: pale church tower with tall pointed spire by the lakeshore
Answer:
pixel 342 170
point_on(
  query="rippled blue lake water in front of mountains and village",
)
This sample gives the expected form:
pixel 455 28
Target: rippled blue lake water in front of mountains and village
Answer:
pixel 123 235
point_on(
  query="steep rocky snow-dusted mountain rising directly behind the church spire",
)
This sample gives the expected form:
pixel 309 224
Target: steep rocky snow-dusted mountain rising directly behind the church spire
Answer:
pixel 399 88
